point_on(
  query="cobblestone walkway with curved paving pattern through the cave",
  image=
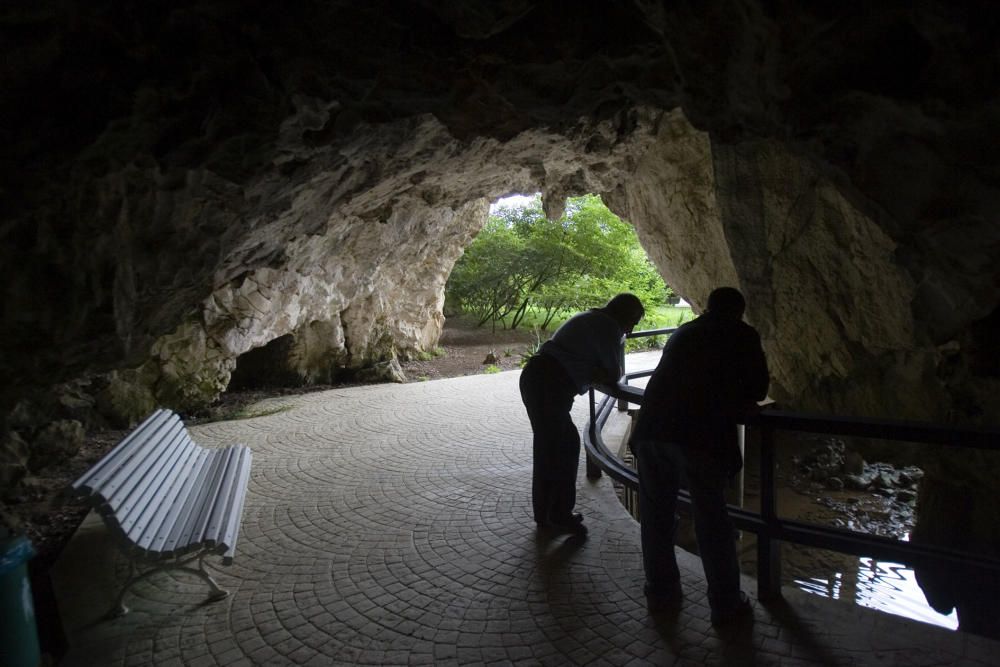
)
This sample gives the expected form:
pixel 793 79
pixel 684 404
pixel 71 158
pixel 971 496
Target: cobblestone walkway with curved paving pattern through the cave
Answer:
pixel 390 525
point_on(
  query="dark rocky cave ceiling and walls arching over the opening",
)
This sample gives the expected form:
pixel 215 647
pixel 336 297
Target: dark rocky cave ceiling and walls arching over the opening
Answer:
pixel 160 157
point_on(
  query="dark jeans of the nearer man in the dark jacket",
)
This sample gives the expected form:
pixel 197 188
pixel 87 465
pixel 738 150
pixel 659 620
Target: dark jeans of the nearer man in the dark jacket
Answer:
pixel 662 467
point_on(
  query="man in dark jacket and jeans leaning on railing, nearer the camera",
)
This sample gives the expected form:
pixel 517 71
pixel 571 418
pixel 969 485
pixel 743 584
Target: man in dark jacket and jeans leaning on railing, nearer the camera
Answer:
pixel 712 372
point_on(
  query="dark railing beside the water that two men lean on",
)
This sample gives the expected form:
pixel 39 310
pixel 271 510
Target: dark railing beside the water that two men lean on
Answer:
pixel 770 529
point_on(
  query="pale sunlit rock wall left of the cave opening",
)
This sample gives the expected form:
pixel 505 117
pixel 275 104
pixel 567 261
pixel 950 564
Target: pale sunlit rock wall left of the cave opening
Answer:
pixel 339 296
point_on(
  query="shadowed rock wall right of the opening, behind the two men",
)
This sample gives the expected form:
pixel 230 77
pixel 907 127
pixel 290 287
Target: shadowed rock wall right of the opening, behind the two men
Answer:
pixel 842 315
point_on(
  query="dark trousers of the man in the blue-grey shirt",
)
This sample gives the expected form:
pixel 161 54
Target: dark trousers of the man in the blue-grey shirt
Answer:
pixel 548 393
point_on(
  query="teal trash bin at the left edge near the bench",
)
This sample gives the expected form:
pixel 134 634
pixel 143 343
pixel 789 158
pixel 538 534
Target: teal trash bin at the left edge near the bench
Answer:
pixel 18 633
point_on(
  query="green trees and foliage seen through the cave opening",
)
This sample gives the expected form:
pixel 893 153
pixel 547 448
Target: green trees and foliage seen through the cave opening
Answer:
pixel 524 268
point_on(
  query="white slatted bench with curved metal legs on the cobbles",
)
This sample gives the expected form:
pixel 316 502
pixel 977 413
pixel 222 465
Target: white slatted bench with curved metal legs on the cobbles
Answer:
pixel 169 501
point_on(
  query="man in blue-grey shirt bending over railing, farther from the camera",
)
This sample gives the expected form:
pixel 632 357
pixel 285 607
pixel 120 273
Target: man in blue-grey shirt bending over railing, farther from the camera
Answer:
pixel 586 349
